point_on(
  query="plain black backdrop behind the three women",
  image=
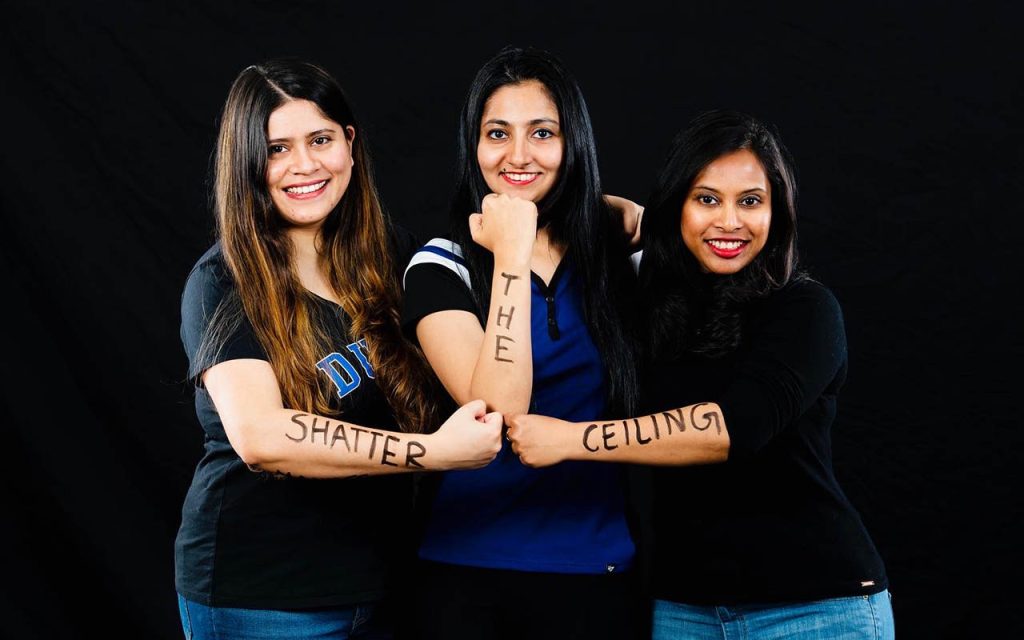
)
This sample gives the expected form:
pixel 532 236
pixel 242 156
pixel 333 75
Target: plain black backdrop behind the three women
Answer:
pixel 905 123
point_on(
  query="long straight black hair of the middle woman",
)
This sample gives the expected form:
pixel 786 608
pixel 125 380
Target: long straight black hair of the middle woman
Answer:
pixel 574 212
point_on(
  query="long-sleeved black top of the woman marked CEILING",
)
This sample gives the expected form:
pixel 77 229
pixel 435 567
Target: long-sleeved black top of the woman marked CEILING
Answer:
pixel 772 525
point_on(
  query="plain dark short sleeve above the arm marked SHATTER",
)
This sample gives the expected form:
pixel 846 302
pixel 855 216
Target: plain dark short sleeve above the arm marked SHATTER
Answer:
pixel 211 308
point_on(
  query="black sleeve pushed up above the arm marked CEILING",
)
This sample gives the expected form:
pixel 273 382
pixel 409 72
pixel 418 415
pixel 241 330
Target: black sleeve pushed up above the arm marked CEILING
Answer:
pixel 798 359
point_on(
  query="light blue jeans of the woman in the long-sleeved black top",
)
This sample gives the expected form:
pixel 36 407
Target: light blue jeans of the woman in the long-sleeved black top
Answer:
pixel 855 618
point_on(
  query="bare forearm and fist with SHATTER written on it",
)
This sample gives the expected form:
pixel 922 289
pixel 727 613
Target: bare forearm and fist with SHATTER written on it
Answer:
pixel 271 438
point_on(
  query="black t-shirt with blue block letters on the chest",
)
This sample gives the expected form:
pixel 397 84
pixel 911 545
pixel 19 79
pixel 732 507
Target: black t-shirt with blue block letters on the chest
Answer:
pixel 249 540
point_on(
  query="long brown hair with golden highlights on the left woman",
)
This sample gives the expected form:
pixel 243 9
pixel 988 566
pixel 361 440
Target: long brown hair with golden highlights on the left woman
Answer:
pixel 354 244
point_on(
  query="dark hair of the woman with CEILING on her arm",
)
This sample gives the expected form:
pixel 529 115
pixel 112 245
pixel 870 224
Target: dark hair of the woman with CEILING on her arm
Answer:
pixel 690 311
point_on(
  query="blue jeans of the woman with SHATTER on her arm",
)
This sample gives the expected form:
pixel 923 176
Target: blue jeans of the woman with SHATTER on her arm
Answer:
pixel 219 623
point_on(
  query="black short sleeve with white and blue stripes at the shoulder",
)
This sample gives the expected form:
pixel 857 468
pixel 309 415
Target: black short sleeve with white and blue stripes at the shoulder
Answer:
pixel 437 280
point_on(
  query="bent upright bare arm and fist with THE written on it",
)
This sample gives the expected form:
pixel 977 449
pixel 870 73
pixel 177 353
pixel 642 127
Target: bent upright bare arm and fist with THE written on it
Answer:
pixel 495 364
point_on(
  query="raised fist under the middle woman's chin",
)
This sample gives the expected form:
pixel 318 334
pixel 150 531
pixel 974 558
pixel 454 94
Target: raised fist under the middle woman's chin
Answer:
pixel 507 228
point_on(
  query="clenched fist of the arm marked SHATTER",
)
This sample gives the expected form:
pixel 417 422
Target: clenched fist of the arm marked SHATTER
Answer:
pixel 471 439
